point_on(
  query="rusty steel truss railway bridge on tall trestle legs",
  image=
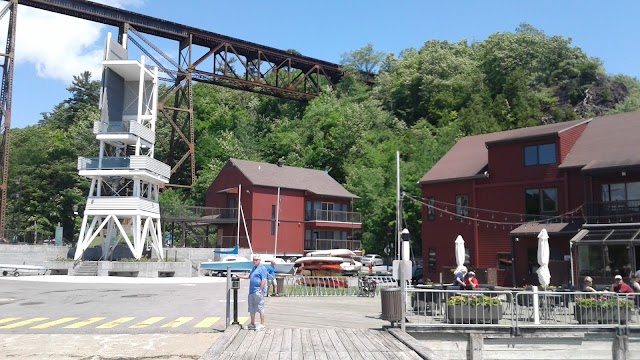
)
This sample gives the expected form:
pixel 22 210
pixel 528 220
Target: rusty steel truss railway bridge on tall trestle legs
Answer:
pixel 203 56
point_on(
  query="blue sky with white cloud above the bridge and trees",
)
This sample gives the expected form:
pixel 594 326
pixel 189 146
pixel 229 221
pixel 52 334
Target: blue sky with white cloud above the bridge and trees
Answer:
pixel 52 48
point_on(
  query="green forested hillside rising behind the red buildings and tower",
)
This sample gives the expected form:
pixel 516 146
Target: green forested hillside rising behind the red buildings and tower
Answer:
pixel 424 100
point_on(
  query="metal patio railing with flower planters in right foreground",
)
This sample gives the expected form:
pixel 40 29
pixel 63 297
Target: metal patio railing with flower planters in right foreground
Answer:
pixel 521 309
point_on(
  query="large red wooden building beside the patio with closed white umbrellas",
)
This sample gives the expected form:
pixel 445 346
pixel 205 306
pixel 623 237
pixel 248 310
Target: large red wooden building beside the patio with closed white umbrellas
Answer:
pixel 579 179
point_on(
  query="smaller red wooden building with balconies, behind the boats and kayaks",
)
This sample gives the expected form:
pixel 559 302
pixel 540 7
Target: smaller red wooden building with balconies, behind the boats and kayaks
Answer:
pixel 287 209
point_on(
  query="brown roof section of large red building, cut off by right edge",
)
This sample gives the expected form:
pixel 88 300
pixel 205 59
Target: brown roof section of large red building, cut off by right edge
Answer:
pixel 608 142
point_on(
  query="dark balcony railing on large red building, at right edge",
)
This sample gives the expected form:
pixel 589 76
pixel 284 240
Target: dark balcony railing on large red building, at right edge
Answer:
pixel 613 211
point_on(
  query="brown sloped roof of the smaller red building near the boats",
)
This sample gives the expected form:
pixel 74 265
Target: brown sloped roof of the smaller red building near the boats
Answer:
pixel 271 175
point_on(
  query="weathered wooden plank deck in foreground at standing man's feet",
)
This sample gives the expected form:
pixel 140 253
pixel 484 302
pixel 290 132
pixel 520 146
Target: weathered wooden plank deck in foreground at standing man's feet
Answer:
pixel 316 344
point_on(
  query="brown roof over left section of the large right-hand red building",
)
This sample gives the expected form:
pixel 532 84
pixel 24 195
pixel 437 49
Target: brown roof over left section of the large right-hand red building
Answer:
pixel 469 156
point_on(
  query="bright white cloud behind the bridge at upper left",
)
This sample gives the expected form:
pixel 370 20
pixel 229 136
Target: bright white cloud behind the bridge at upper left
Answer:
pixel 59 46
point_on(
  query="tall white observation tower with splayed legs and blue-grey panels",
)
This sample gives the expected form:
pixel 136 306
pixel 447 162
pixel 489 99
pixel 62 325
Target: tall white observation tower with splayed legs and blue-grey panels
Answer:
pixel 122 205
